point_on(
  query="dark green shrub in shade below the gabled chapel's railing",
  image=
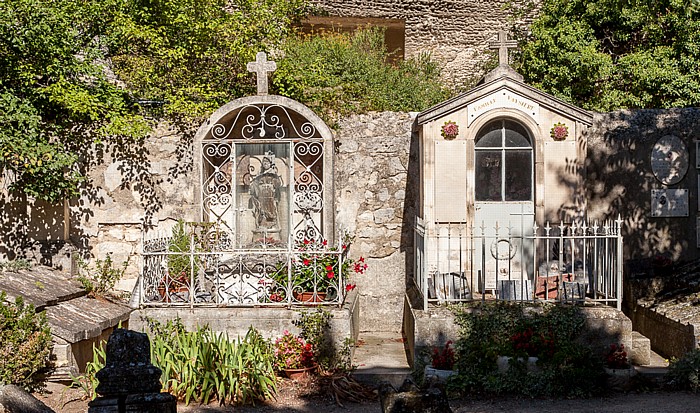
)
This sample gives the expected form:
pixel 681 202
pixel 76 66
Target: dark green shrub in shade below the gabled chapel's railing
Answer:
pixel 565 367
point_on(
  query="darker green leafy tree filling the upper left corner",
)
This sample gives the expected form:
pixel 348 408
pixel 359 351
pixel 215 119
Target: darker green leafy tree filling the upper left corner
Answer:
pixel 55 95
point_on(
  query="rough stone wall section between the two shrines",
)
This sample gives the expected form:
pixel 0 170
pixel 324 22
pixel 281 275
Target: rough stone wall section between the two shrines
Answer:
pixel 376 190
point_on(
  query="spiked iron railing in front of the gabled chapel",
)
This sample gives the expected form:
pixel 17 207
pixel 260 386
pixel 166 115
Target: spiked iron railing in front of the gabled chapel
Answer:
pixel 564 262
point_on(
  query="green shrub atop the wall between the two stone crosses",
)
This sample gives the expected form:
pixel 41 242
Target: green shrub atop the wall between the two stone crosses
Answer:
pixel 338 74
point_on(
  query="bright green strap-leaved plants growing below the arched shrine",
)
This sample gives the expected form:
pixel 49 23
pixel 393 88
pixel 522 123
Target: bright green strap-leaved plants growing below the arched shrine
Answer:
pixel 204 366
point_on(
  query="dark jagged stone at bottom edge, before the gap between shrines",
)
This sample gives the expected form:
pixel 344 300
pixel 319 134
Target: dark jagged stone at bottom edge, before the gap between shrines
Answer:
pixel 412 399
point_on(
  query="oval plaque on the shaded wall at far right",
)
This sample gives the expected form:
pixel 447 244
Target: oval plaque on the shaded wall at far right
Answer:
pixel 669 160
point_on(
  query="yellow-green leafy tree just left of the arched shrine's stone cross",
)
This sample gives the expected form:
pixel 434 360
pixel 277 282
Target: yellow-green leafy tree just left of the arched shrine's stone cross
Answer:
pixel 192 54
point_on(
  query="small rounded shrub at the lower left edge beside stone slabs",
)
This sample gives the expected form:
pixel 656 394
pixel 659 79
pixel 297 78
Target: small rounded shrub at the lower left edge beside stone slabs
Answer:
pixel 25 344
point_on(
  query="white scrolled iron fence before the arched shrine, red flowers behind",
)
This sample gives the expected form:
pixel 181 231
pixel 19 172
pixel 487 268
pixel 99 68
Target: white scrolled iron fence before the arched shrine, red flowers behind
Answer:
pixel 204 270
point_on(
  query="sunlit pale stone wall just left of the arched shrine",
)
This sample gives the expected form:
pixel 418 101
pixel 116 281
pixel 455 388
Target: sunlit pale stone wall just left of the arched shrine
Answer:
pixel 154 186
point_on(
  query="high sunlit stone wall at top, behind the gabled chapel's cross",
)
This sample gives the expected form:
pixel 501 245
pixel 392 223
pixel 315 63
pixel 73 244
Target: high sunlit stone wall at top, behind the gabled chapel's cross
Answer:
pixel 456 33
